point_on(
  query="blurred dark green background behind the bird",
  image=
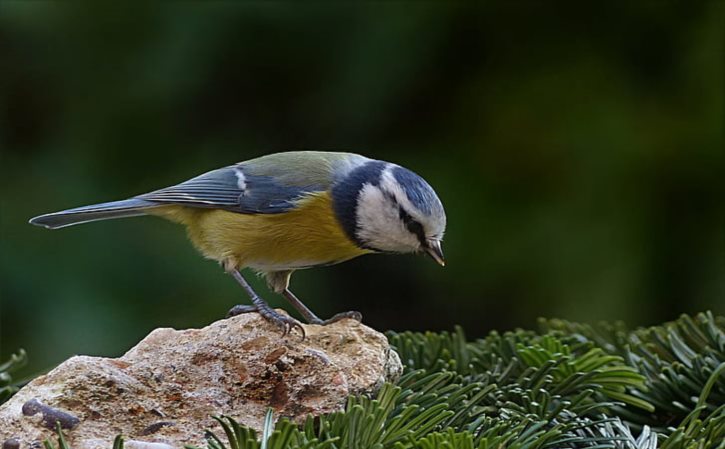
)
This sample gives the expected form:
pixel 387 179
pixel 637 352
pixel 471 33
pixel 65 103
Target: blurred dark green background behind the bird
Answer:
pixel 578 151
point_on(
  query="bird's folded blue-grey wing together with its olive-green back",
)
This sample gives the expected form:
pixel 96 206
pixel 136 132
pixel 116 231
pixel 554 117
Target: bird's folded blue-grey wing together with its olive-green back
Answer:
pixel 267 185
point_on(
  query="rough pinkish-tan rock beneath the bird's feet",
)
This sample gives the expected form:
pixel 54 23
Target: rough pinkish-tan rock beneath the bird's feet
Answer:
pixel 164 391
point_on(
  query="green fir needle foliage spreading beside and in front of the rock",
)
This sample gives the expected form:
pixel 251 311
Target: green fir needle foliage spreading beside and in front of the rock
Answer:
pixel 569 386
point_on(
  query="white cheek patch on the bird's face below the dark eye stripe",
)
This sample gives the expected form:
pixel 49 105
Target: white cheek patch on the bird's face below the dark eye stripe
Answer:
pixel 379 223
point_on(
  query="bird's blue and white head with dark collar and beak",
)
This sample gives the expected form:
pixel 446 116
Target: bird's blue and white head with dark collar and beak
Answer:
pixel 387 208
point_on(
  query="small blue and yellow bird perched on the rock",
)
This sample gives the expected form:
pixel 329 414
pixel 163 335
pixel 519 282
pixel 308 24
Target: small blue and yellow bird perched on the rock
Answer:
pixel 288 211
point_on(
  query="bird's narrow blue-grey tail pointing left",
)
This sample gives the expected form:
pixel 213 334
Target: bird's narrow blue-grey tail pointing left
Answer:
pixel 116 209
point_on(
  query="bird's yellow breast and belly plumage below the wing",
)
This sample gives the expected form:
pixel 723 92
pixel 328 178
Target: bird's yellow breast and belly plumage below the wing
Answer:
pixel 305 236
